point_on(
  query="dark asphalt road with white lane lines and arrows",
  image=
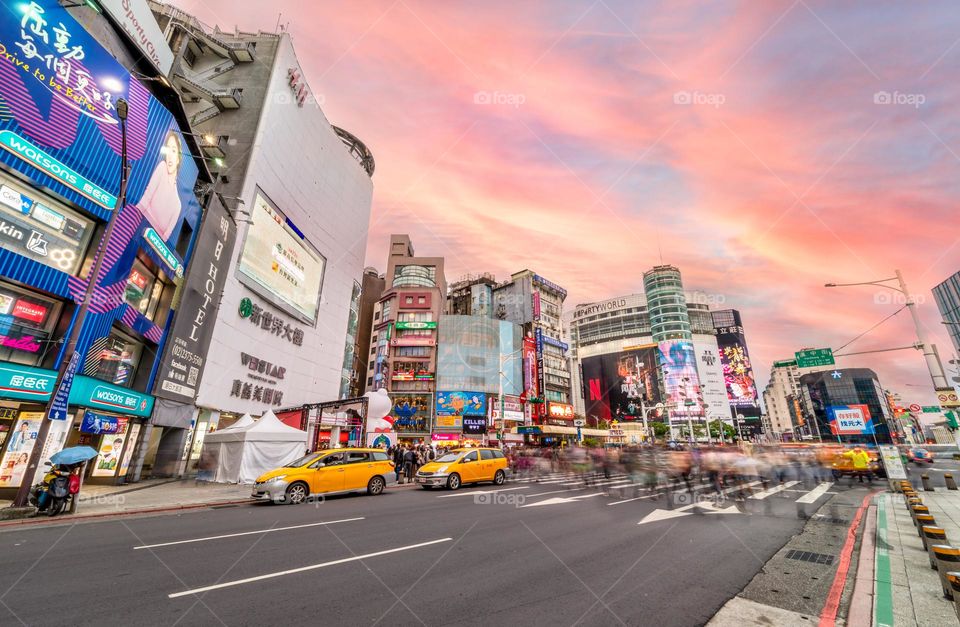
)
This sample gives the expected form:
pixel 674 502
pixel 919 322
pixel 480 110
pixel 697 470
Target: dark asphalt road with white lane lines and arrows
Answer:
pixel 528 553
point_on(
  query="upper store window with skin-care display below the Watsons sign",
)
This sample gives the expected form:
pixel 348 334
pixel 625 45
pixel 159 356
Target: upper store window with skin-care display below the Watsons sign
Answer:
pixel 42 229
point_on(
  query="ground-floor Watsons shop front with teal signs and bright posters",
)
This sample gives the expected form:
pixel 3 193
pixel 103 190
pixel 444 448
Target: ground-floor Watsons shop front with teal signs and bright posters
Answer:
pixel 101 415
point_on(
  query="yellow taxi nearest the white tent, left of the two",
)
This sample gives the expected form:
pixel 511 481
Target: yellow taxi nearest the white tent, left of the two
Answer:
pixel 336 471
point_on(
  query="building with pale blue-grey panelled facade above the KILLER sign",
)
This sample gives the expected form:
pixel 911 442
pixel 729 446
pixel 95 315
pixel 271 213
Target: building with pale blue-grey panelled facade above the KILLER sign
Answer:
pixel 478 358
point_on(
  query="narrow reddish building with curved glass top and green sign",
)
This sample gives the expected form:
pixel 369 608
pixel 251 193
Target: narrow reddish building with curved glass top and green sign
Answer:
pixel 405 337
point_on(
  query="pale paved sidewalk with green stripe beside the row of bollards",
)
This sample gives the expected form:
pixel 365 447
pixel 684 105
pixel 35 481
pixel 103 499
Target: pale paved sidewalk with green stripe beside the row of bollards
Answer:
pixel 906 590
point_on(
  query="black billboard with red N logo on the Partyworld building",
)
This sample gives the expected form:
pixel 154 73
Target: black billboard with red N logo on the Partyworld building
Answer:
pixel 614 384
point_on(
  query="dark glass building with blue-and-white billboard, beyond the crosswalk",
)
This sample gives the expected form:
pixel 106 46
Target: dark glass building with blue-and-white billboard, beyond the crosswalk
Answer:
pixel 848 405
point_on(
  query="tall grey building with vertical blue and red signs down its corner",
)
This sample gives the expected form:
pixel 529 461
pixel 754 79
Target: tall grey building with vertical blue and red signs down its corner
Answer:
pixel 536 304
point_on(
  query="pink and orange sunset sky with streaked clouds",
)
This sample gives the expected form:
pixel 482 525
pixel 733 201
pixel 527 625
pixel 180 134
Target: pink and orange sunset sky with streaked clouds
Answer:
pixel 751 144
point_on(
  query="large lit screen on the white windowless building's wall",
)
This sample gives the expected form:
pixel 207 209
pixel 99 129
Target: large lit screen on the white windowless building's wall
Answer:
pixel 279 264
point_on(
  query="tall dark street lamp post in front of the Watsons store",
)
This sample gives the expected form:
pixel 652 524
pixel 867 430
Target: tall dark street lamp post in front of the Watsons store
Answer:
pixel 69 360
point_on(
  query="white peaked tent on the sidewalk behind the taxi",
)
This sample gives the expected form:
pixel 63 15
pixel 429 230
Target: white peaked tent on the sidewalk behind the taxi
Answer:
pixel 243 452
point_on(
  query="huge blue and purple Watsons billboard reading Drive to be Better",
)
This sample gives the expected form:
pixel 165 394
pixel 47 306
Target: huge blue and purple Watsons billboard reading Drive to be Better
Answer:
pixel 58 93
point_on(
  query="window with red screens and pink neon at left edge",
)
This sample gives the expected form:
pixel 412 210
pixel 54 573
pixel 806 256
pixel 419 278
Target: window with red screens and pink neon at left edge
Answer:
pixel 26 325
